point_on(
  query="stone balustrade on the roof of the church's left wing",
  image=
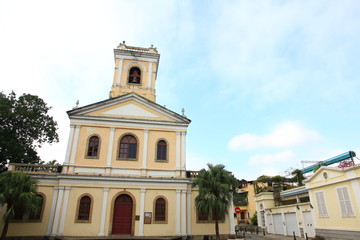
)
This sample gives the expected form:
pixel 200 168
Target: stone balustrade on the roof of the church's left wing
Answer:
pixel 35 168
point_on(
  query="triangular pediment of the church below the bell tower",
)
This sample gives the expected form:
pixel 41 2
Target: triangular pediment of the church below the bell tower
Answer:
pixel 130 106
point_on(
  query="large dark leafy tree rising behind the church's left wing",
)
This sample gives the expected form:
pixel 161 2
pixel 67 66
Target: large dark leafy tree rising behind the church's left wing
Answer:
pixel 24 126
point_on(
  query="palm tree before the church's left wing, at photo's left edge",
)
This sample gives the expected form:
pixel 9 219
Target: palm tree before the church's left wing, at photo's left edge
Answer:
pixel 17 191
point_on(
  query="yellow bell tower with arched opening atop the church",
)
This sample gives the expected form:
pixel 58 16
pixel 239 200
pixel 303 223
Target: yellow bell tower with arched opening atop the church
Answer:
pixel 135 71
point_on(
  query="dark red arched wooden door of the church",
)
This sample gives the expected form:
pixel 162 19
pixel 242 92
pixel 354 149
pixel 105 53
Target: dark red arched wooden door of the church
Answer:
pixel 123 211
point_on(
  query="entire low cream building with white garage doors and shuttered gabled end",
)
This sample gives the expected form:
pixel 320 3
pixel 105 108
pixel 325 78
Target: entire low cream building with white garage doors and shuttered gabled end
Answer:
pixel 327 206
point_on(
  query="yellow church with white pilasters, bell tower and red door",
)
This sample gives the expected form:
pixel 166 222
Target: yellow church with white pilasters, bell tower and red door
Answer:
pixel 124 172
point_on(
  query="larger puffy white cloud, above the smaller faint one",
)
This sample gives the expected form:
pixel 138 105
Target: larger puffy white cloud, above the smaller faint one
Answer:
pixel 284 135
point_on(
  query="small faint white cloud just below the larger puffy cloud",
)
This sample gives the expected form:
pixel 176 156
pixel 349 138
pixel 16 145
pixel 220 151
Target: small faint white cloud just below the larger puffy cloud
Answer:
pixel 272 158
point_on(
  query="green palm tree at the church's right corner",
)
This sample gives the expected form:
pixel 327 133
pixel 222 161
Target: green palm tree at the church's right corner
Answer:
pixel 216 189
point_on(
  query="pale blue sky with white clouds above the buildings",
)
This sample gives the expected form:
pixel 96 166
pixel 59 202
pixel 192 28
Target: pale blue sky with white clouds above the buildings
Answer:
pixel 267 84
